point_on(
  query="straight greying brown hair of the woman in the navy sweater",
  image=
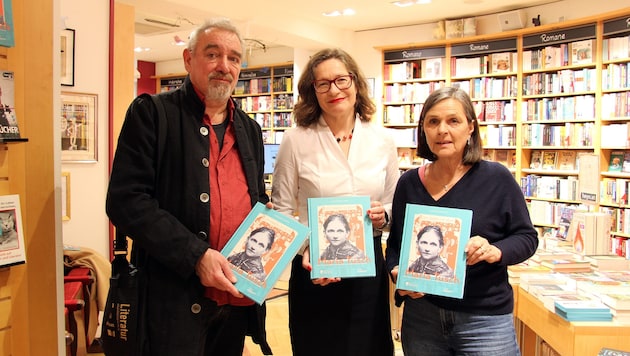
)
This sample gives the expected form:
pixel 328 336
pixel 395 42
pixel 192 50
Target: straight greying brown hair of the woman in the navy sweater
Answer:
pixel 474 150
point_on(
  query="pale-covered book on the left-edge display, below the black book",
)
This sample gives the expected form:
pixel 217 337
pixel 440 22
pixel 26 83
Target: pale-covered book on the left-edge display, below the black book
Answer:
pixel 12 249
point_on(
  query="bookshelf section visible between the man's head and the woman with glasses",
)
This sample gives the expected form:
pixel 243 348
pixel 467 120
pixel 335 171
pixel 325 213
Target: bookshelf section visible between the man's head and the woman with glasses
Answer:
pixel 266 94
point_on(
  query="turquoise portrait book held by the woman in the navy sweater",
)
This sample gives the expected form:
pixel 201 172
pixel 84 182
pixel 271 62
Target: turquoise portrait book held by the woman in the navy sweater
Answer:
pixel 432 257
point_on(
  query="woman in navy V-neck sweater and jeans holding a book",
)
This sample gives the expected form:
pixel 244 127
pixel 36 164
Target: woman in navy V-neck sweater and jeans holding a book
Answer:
pixel 501 235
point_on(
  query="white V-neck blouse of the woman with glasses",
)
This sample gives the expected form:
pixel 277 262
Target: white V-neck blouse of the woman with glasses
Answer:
pixel 310 164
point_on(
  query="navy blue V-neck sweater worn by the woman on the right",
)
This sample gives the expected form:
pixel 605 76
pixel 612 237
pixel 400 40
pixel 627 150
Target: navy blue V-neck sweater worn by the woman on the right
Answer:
pixel 499 214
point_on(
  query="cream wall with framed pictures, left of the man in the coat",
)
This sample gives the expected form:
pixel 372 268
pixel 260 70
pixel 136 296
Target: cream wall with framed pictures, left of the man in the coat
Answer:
pixel 88 224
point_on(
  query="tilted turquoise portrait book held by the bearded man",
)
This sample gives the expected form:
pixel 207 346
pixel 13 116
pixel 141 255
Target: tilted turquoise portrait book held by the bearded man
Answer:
pixel 261 249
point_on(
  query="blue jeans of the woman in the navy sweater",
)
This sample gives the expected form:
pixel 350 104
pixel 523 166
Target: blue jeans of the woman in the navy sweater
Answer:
pixel 433 331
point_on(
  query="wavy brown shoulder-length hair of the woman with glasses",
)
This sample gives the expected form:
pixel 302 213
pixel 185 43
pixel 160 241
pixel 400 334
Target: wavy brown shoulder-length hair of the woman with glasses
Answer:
pixel 307 109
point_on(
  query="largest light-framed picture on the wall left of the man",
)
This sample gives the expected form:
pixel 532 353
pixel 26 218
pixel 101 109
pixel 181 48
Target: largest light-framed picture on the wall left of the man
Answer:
pixel 78 127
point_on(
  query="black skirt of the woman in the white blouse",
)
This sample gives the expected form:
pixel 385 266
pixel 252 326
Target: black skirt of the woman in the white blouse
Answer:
pixel 347 318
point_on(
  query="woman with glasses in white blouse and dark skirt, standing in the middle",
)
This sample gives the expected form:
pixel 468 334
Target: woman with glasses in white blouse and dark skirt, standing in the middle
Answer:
pixel 336 151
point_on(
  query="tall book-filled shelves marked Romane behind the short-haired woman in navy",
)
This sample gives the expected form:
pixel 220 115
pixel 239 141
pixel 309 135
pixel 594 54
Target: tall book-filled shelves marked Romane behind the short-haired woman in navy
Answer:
pixel 543 96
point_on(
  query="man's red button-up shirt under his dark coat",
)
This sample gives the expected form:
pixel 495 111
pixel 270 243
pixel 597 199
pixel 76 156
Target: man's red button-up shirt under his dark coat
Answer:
pixel 229 197
